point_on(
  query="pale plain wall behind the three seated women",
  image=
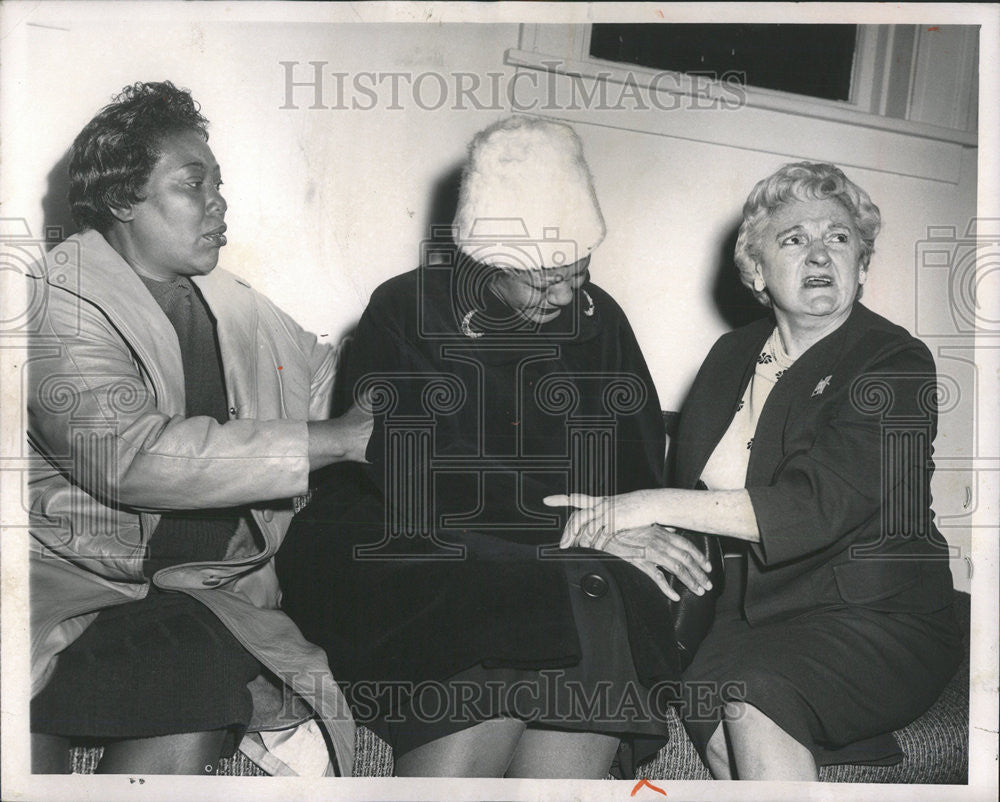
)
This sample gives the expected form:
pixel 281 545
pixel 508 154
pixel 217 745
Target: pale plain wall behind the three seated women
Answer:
pixel 325 203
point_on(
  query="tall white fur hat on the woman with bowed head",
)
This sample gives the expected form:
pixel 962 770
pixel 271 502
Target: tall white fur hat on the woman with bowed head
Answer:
pixel 527 200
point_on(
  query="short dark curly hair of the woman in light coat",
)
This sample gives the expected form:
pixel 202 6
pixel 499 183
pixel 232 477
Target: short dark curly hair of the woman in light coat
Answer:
pixel 114 154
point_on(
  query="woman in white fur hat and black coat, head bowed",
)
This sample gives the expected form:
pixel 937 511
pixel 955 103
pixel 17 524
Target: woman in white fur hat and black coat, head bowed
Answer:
pixel 460 633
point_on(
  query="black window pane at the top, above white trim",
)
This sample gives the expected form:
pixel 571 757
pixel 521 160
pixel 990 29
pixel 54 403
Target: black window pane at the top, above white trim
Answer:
pixel 813 60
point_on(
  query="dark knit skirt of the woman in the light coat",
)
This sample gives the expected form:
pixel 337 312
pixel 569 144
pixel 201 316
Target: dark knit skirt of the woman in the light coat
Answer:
pixel 164 665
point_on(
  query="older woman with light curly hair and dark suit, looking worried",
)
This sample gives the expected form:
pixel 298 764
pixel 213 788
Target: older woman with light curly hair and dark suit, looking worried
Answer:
pixel 835 626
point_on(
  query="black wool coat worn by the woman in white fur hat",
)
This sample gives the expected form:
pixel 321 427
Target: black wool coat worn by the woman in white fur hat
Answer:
pixel 505 401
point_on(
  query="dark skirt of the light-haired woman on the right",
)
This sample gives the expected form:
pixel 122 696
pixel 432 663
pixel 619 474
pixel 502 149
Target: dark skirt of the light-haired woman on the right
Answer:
pixel 838 680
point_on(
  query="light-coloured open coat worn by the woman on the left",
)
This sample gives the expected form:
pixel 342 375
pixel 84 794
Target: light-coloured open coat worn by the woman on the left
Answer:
pixel 106 426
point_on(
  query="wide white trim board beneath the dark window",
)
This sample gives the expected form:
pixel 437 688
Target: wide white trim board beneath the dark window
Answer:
pixel 697 109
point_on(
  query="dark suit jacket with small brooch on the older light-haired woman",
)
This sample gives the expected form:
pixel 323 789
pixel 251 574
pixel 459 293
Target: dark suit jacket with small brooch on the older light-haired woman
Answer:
pixel 839 473
